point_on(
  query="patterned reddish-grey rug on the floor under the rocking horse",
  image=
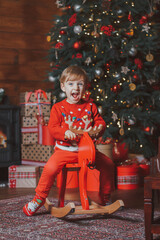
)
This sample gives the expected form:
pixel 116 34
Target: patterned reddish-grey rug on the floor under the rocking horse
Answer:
pixel 123 224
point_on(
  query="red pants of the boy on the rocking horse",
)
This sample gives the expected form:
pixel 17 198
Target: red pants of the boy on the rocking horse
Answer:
pixel 61 157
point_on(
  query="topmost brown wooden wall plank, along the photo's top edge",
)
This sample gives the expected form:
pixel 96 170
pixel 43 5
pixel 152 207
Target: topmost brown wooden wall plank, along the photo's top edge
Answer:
pixel 35 9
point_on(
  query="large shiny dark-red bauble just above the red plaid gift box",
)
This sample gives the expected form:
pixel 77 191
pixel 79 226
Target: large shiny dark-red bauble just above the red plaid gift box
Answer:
pixel 119 152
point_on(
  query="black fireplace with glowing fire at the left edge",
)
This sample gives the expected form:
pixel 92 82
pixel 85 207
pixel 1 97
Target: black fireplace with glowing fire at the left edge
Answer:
pixel 10 135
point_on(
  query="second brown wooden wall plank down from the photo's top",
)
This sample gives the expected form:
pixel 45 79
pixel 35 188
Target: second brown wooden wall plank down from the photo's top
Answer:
pixel 25 25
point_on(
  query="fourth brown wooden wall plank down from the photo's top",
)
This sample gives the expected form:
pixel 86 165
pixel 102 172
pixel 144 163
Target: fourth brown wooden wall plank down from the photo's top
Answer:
pixel 22 56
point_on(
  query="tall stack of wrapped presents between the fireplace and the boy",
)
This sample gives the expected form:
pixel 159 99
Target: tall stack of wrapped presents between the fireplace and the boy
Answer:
pixel 37 144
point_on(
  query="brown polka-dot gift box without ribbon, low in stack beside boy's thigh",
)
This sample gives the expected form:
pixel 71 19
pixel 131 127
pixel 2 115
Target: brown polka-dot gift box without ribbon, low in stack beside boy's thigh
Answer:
pixel 36 152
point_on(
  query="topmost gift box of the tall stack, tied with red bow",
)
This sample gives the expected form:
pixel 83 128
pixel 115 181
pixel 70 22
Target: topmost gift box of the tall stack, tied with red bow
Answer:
pixel 35 102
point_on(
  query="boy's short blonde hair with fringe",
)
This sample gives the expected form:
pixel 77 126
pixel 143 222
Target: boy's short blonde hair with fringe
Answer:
pixel 72 73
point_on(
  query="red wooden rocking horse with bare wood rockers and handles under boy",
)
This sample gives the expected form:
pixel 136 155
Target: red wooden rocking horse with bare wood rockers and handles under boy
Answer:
pixel 86 158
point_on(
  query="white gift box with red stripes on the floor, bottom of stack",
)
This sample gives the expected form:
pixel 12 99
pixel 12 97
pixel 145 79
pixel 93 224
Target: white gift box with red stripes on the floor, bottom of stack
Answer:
pixel 23 176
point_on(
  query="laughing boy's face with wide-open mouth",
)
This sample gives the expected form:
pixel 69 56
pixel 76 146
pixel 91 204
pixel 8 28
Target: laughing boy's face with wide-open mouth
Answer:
pixel 74 90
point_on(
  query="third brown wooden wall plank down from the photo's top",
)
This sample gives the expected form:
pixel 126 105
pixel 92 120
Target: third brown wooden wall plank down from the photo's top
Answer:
pixel 23 41
